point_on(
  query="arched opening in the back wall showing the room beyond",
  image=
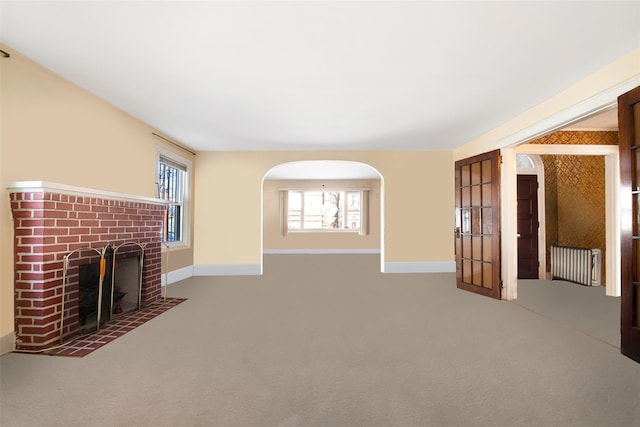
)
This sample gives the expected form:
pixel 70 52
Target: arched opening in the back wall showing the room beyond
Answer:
pixel 333 181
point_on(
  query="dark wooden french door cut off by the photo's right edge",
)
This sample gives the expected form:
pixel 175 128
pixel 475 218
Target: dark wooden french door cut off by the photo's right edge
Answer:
pixel 629 135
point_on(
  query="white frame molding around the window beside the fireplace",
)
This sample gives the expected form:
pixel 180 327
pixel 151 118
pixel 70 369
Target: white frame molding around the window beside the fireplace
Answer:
pixel 185 232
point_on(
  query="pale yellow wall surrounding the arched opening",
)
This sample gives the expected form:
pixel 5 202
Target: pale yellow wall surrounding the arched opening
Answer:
pixel 418 203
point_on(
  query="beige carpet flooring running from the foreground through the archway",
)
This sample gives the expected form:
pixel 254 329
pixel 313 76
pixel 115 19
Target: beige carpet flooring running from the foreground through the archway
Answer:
pixel 323 340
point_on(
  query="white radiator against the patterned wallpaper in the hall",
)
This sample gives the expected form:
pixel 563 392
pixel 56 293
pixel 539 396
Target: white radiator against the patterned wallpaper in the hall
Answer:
pixel 582 266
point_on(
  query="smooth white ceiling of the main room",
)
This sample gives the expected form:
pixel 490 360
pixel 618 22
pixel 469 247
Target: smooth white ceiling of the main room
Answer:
pixel 322 75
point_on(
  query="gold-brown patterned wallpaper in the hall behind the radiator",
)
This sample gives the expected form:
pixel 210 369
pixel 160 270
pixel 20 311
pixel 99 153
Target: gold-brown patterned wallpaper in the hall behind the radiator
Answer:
pixel 575 192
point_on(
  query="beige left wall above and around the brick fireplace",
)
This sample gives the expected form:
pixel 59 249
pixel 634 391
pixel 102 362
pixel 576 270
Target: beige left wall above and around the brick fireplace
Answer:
pixel 52 130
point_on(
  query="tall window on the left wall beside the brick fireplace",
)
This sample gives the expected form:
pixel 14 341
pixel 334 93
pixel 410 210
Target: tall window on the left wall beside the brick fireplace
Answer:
pixel 172 187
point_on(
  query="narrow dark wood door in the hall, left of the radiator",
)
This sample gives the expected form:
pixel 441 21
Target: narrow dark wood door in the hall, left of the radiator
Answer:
pixel 527 219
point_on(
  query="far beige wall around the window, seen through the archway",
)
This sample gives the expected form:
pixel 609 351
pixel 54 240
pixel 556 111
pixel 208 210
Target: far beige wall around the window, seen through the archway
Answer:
pixel 275 239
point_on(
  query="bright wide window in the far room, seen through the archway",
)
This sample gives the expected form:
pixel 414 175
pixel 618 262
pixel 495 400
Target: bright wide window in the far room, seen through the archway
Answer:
pixel 324 210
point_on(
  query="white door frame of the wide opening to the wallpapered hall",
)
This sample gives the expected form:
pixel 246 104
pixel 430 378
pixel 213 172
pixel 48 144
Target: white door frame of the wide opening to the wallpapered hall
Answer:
pixel 603 101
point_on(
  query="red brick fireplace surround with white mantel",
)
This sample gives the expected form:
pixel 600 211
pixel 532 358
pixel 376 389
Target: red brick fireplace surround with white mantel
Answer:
pixel 52 220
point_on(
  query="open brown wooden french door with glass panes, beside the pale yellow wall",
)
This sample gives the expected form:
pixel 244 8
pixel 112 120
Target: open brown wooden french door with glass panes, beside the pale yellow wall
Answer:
pixel 477 233
